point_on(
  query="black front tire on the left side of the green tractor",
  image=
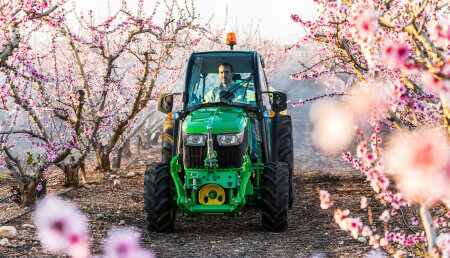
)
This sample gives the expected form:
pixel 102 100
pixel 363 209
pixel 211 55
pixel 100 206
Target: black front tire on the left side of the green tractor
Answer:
pixel 157 199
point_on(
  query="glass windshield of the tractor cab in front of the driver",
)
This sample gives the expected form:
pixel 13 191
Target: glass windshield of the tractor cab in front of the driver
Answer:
pixel 205 85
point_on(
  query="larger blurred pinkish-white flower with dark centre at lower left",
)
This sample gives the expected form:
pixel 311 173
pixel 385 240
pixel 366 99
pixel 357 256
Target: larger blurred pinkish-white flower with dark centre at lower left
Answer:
pixel 61 227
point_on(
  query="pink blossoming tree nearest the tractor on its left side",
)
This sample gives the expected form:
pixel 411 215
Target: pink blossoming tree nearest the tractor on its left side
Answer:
pixel 121 60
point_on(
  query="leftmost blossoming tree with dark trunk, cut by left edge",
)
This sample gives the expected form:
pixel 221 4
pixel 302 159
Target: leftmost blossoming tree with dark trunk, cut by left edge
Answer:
pixel 27 113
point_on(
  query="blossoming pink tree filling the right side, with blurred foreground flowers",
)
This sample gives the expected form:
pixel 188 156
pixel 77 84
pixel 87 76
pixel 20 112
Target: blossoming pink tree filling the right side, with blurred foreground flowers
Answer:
pixel 392 58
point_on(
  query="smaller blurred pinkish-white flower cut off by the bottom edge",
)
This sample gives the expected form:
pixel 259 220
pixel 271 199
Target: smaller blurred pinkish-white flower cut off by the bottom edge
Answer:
pixel 124 243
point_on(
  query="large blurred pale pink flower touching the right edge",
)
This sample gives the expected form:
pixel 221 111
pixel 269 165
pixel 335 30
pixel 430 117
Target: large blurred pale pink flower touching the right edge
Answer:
pixel 420 162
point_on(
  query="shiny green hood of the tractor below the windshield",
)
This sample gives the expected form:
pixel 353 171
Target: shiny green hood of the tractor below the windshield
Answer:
pixel 222 120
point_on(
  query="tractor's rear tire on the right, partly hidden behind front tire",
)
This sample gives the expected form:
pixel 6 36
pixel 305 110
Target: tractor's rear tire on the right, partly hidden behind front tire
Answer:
pixel 286 150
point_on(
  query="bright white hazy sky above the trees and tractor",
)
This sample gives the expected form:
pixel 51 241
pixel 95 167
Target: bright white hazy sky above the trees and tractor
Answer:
pixel 273 16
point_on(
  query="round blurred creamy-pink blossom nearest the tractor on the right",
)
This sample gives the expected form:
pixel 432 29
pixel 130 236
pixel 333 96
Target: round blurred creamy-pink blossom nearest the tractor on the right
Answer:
pixel 333 126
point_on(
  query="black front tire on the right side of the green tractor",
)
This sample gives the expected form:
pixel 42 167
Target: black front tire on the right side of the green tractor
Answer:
pixel 275 196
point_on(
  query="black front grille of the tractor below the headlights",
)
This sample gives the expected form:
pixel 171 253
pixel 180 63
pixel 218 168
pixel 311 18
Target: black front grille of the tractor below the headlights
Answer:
pixel 228 157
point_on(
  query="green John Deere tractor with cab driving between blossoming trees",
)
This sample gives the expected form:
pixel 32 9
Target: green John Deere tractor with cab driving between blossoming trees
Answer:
pixel 219 155
